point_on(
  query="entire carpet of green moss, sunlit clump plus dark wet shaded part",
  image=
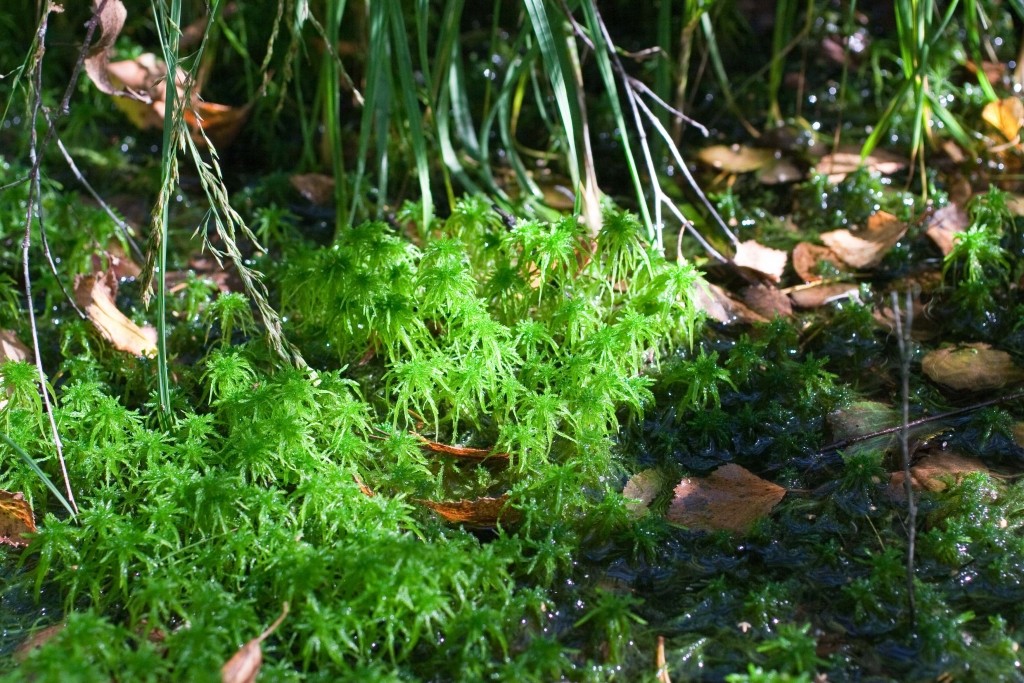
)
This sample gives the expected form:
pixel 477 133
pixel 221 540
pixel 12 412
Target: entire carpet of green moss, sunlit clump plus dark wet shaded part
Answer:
pixel 272 485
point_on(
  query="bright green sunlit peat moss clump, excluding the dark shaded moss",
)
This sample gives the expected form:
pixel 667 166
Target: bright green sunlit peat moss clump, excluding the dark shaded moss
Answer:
pixel 272 486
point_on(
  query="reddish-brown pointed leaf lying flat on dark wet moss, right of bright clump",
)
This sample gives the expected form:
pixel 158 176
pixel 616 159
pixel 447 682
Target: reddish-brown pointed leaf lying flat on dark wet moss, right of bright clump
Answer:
pixel 731 499
